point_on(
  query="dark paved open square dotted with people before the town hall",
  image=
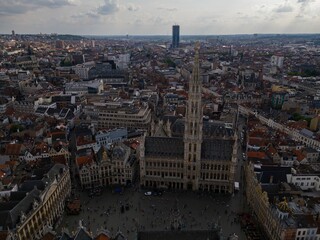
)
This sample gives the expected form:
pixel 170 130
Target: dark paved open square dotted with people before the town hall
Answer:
pixel 197 210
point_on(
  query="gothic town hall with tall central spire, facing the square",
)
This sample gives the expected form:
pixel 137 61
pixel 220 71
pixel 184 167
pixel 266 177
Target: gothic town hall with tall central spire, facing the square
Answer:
pixel 196 155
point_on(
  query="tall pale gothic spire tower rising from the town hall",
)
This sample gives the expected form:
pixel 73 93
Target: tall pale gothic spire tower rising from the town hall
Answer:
pixel 193 128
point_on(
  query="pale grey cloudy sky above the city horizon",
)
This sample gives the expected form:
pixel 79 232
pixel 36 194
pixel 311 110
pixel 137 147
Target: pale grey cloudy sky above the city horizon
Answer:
pixel 119 17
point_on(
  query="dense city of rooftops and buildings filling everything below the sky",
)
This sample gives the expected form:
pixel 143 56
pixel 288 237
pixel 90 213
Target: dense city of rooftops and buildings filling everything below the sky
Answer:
pixel 160 137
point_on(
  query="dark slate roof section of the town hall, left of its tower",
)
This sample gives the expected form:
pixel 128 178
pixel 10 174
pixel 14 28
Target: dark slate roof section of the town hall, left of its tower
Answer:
pixel 164 147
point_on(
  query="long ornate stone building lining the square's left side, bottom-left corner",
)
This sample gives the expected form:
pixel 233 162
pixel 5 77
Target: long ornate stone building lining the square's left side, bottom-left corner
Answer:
pixel 47 206
